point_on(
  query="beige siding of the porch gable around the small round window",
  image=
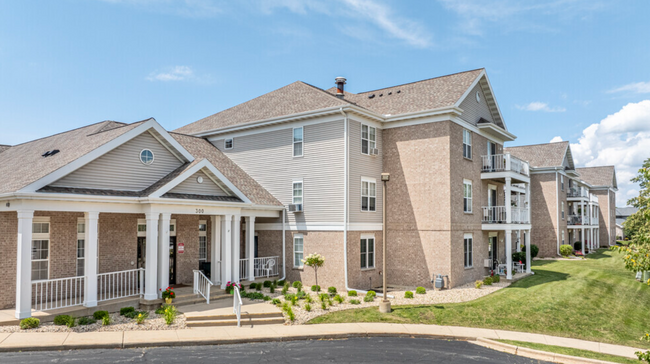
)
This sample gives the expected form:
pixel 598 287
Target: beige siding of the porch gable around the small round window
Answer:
pixel 121 169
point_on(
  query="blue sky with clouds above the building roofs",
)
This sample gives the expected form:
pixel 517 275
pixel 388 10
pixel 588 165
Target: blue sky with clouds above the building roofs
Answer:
pixel 573 69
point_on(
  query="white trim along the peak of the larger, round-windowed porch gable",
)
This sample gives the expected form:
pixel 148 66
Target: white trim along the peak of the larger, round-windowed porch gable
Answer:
pixel 105 148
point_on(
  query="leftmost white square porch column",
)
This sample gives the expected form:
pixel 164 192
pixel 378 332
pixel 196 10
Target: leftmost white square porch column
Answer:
pixel 24 265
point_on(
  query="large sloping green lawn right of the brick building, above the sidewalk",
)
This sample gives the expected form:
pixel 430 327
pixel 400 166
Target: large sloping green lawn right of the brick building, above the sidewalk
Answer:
pixel 594 299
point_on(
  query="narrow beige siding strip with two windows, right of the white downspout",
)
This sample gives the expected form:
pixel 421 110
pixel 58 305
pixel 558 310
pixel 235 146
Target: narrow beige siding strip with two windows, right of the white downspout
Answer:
pixel 362 165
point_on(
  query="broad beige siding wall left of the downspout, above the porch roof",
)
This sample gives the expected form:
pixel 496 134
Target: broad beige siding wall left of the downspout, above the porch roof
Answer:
pixel 268 158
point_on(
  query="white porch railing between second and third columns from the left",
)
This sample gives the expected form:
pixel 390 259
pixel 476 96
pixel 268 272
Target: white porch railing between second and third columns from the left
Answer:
pixel 120 284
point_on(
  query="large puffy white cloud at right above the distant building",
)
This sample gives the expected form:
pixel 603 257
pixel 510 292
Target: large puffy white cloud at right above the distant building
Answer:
pixel 620 139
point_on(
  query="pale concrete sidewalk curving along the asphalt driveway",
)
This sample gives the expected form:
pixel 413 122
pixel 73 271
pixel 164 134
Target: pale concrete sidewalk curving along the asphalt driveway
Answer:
pixel 26 341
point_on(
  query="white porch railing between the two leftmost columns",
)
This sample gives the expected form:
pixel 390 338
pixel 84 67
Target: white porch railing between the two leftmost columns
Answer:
pixel 58 293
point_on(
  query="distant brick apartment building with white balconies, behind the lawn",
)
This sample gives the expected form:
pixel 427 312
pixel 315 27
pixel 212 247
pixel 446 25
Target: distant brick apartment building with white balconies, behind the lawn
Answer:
pixel 570 204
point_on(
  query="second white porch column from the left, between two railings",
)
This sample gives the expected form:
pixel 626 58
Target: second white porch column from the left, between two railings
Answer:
pixel 90 258
